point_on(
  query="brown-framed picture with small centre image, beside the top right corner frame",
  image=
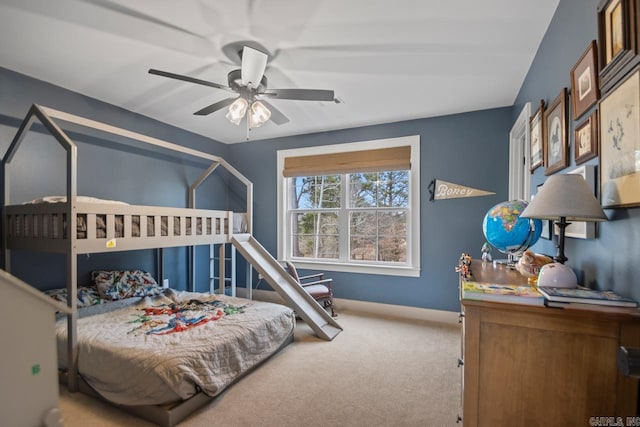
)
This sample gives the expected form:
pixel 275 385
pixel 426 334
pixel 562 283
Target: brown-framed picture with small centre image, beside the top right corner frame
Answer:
pixel 584 81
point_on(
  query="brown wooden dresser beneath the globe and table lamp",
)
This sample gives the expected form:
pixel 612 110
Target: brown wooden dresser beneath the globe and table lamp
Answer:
pixel 538 366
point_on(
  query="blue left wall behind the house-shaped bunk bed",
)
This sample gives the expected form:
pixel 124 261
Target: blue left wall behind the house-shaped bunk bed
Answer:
pixel 106 169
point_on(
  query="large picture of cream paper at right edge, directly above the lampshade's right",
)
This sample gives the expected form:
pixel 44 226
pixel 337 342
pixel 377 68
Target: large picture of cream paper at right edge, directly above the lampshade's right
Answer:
pixel 619 143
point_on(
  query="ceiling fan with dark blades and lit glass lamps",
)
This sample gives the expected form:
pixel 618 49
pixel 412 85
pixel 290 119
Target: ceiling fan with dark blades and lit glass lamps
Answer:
pixel 250 83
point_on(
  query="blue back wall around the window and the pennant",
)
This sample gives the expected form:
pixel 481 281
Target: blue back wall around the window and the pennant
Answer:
pixel 469 149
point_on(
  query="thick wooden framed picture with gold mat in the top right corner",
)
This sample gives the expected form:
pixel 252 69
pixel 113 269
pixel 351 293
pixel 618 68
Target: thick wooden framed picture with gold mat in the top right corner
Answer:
pixel 618 40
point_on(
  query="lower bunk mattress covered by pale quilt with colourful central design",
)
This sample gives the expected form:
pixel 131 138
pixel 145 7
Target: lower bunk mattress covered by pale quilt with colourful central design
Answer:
pixel 161 349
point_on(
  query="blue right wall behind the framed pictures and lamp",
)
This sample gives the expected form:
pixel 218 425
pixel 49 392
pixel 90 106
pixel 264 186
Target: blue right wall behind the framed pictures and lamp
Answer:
pixel 610 260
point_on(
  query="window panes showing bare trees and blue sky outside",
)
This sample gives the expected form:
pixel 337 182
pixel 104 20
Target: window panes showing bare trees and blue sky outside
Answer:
pixel 375 215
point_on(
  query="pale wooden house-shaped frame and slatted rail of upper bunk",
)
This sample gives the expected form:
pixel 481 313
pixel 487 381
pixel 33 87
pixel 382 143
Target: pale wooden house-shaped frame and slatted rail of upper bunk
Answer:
pixel 30 226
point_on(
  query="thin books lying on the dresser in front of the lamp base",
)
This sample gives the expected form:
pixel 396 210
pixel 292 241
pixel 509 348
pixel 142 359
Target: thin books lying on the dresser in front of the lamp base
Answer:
pixel 580 296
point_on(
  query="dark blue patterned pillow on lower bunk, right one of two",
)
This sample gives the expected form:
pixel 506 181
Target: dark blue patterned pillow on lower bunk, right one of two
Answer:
pixel 120 284
